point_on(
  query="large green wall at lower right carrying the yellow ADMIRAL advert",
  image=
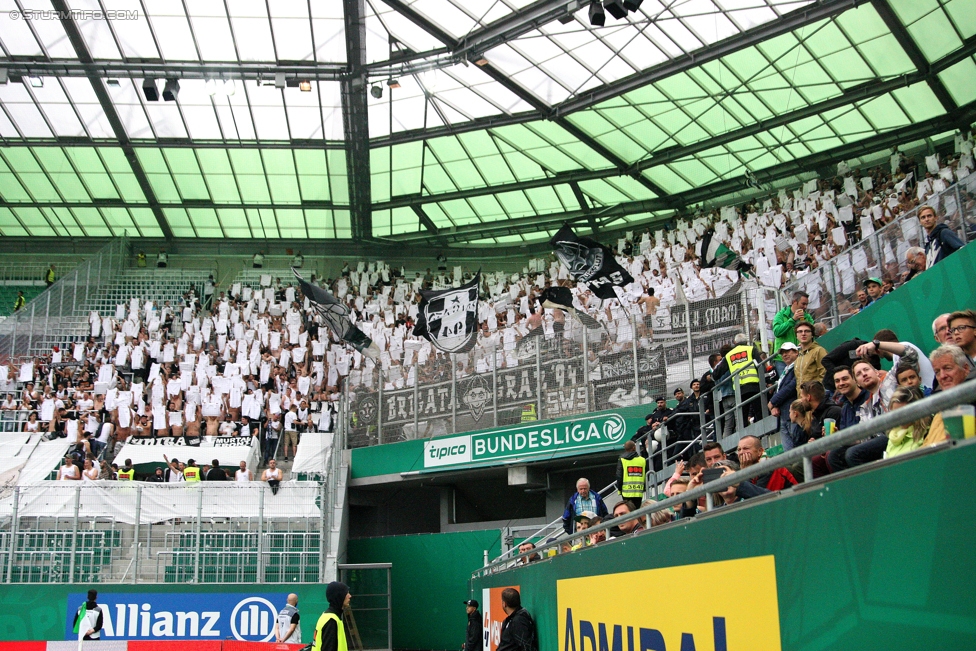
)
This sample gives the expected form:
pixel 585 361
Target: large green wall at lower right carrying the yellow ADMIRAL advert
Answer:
pixel 879 559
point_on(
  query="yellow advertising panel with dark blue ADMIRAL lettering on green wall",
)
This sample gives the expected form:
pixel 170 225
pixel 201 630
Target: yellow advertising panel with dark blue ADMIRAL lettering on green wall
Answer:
pixel 722 606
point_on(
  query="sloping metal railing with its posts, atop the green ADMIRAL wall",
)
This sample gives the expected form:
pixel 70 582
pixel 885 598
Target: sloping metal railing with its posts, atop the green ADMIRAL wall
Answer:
pixel 801 456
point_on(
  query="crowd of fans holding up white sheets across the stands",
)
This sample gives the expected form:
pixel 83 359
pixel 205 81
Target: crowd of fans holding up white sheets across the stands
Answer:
pixel 256 361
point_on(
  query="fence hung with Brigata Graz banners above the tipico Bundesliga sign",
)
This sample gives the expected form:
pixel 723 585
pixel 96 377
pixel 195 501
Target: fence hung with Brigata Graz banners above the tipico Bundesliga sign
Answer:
pixel 568 370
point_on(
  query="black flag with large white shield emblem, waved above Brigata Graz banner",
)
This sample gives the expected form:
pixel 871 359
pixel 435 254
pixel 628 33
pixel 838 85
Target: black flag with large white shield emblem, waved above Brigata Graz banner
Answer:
pixel 448 319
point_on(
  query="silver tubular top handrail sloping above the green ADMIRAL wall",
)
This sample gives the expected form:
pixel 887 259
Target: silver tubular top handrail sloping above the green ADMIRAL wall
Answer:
pixel 965 393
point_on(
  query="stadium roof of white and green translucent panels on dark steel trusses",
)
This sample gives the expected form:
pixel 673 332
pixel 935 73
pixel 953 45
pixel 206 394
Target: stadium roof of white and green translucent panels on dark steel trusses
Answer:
pixel 498 119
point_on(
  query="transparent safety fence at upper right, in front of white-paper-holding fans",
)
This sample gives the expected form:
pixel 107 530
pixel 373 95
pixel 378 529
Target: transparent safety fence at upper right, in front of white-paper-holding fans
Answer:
pixel 835 285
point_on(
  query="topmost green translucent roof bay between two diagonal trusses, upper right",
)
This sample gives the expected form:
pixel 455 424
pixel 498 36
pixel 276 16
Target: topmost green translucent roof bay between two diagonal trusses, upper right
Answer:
pixel 788 73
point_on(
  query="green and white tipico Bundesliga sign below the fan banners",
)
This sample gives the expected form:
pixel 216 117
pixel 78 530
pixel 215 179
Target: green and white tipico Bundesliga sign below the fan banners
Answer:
pixel 525 441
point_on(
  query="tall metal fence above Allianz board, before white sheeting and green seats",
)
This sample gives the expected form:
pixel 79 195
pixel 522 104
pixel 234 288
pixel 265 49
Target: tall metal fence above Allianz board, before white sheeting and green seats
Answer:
pixel 131 532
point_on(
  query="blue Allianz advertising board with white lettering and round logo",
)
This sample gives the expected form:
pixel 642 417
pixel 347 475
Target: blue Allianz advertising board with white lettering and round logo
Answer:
pixel 183 616
